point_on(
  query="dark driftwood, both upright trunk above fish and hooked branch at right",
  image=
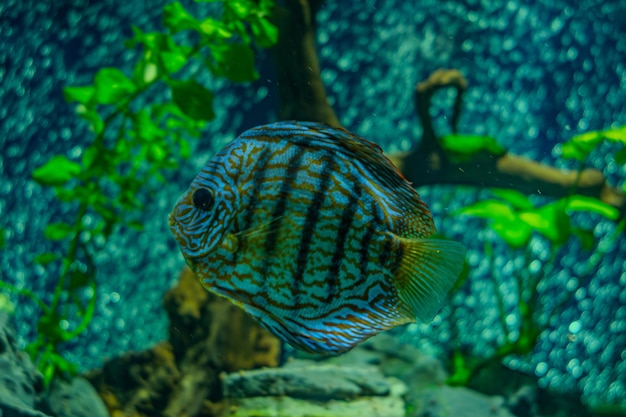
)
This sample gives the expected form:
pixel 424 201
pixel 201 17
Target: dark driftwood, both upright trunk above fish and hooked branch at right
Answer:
pixel 303 97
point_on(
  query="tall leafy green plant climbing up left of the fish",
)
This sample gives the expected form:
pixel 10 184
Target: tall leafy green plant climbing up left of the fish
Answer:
pixel 132 147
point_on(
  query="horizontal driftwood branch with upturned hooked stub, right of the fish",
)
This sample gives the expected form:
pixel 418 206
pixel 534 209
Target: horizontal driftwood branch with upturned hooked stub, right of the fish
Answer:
pixel 428 164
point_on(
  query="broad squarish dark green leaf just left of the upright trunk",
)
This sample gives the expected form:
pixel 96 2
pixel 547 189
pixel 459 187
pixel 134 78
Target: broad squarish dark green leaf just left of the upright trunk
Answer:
pixel 235 62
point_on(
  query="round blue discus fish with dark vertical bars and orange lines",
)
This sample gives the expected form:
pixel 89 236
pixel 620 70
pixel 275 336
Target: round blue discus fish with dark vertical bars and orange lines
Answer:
pixel 316 234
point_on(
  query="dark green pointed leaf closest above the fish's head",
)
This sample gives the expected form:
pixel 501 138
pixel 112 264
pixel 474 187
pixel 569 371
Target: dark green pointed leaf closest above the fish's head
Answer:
pixel 193 99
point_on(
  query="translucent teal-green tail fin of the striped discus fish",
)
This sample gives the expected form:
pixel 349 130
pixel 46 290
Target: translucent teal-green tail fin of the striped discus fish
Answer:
pixel 428 270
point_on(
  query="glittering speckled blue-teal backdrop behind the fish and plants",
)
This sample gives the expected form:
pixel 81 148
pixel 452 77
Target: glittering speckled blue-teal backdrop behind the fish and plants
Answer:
pixel 538 75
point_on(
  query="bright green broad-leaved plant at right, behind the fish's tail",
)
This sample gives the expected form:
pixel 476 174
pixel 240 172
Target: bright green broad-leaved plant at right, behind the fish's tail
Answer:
pixel 515 219
